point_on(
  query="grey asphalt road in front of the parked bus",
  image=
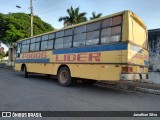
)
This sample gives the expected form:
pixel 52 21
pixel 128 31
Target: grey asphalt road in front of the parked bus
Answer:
pixel 39 93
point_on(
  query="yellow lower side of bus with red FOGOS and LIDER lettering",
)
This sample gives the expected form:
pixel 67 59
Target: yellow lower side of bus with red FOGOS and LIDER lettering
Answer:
pixel 98 66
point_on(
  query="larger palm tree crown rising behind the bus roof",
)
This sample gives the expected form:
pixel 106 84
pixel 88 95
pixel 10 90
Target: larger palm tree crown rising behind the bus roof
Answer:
pixel 74 17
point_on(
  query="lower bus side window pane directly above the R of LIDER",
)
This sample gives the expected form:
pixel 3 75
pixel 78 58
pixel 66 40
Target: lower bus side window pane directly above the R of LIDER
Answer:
pixel 92 38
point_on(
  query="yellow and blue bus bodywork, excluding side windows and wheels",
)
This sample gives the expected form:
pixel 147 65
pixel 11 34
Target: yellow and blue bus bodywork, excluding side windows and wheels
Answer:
pixel 98 62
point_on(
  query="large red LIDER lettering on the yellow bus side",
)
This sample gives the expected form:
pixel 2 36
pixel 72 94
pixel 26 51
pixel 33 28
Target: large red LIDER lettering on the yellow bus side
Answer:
pixel 81 57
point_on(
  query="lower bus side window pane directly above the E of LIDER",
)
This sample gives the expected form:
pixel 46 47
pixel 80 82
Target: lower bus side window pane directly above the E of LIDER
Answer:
pixel 79 40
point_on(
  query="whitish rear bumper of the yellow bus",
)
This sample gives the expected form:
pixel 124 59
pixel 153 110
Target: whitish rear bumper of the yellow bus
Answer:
pixel 134 76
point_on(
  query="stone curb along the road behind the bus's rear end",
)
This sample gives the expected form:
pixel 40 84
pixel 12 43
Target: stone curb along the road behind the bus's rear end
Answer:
pixel 128 87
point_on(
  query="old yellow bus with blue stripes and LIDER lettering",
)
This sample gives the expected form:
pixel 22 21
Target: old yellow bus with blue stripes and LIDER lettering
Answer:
pixel 113 48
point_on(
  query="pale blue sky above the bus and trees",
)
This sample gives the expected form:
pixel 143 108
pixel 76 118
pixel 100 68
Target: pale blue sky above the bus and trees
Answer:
pixel 51 10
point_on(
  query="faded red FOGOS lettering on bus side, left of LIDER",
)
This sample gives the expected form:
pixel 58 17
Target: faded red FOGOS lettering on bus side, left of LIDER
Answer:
pixel 35 55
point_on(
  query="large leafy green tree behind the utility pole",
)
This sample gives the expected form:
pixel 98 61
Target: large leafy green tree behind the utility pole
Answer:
pixel 15 26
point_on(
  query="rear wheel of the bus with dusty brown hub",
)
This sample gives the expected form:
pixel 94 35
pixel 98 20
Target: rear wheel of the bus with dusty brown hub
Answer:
pixel 64 77
